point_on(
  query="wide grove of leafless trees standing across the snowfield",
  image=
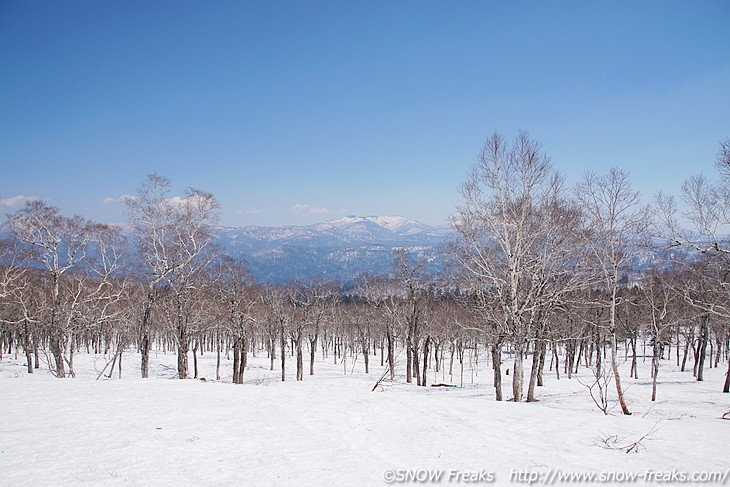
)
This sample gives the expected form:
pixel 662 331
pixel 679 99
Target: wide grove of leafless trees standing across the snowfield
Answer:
pixel 540 275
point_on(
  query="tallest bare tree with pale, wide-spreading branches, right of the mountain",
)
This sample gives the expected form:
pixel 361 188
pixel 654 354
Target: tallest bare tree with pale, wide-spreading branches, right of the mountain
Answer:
pixel 504 242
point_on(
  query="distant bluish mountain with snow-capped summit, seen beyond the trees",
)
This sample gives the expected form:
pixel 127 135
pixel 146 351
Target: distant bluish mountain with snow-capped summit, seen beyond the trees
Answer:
pixel 340 250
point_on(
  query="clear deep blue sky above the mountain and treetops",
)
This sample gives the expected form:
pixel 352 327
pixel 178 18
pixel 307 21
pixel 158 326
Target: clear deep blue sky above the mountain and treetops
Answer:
pixel 293 112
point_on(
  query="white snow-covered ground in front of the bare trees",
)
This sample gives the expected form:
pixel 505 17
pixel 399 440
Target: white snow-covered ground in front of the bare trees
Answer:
pixel 331 429
